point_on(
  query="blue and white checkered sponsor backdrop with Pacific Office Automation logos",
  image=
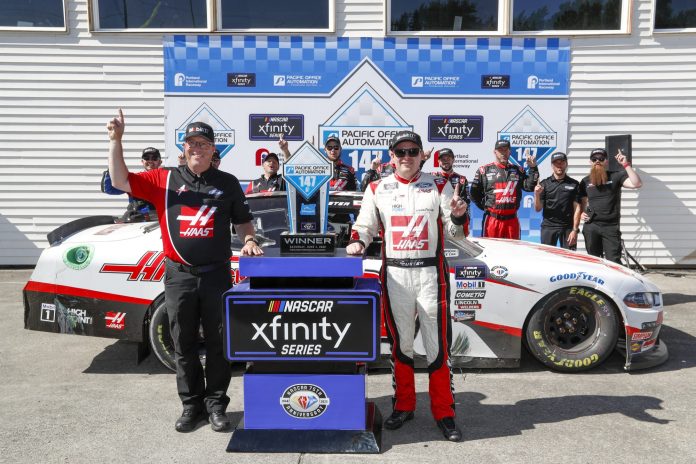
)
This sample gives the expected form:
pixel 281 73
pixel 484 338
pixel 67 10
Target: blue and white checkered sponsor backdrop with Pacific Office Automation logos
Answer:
pixel 458 93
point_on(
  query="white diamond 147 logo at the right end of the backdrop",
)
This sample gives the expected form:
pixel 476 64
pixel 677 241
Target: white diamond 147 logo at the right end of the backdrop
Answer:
pixel 529 134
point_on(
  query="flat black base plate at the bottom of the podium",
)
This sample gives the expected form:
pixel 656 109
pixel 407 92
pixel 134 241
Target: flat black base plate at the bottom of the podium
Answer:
pixel 368 441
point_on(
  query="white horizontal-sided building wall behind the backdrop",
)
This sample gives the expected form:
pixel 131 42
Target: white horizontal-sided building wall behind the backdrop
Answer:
pixel 58 90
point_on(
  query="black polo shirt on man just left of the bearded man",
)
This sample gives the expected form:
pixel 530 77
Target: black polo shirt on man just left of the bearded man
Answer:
pixel 558 200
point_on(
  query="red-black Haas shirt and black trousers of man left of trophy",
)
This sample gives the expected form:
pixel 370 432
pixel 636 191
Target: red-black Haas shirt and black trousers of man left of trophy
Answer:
pixel 194 215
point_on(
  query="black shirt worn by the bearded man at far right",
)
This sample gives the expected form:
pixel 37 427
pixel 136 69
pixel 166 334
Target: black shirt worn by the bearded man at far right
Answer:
pixel 605 200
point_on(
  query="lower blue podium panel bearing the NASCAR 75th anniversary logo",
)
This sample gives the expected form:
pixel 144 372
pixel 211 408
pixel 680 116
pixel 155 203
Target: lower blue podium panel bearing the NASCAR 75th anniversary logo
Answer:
pixel 304 401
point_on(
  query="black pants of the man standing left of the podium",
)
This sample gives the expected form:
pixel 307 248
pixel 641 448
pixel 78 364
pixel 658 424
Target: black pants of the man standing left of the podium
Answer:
pixel 193 301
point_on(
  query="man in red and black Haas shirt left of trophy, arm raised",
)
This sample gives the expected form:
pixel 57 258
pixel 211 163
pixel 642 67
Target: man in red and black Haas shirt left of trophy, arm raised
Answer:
pixel 195 204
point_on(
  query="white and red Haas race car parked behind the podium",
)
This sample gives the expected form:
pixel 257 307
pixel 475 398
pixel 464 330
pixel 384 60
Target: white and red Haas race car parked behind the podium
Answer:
pixel 570 310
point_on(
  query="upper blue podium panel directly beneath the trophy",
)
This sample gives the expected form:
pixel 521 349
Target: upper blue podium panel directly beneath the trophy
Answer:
pixel 271 264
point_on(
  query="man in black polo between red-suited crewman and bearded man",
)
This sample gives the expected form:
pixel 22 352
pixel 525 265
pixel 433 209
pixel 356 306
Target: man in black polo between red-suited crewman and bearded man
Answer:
pixel 558 196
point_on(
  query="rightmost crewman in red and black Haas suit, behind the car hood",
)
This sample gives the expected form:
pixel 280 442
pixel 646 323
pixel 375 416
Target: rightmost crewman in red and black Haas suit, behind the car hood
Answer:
pixel 497 190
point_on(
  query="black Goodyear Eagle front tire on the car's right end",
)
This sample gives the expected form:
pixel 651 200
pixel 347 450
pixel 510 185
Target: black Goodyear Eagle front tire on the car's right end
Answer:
pixel 574 329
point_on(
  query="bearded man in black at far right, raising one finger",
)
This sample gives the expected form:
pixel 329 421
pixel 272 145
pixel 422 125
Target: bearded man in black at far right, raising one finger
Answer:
pixel 600 194
